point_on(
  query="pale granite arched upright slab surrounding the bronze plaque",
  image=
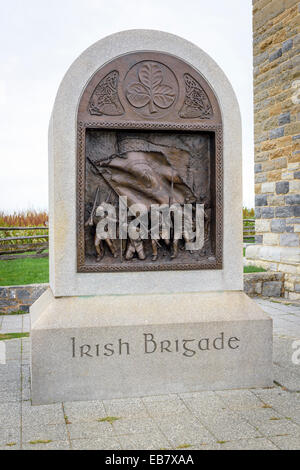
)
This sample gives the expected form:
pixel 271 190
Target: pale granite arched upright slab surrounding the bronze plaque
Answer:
pixel 63 134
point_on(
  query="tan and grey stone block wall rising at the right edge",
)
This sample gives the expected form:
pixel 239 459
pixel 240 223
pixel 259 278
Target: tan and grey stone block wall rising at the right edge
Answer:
pixel 276 47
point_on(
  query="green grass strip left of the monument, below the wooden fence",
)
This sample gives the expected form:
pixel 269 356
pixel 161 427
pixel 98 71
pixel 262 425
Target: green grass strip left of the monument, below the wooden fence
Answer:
pixel 24 271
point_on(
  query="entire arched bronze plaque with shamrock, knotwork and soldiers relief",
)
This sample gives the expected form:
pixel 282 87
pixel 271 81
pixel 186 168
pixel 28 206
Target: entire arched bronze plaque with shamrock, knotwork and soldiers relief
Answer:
pixel 149 133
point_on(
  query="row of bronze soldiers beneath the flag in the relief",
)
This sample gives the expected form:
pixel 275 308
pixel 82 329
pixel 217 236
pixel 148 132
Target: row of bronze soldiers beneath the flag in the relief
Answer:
pixel 167 230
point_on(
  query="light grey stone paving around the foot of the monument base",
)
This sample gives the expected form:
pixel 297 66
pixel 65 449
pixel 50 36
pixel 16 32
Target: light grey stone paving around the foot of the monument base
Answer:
pixel 237 419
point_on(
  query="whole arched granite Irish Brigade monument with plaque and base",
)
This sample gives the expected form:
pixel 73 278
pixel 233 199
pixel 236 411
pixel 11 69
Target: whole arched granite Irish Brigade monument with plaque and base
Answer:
pixel 146 277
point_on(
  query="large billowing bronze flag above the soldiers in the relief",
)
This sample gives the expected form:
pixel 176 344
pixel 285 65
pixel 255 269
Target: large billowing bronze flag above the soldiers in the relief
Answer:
pixel 147 173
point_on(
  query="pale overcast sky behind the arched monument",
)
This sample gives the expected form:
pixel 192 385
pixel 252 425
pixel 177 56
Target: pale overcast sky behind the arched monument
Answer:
pixel 41 38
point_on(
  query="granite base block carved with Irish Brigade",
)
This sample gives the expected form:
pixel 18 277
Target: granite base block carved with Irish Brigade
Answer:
pixel 103 347
